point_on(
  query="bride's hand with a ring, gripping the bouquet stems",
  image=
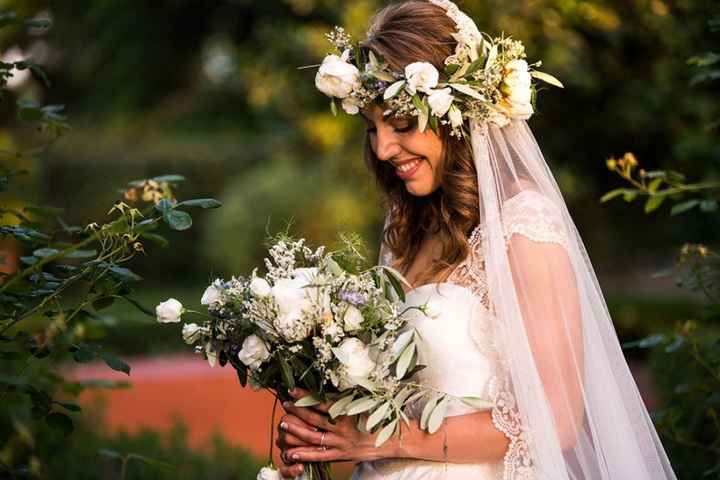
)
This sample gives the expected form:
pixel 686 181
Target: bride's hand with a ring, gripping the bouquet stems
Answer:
pixel 307 434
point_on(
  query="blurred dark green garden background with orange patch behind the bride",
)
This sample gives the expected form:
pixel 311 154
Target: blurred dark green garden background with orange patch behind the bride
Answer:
pixel 211 90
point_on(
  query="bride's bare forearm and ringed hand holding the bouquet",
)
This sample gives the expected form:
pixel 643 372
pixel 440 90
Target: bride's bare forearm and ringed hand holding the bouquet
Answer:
pixel 471 438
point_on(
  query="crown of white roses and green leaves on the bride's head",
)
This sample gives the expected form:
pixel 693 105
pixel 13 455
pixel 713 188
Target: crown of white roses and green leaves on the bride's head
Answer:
pixel 487 79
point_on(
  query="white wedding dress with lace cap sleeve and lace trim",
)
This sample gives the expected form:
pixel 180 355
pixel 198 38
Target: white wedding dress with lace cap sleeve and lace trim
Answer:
pixel 461 356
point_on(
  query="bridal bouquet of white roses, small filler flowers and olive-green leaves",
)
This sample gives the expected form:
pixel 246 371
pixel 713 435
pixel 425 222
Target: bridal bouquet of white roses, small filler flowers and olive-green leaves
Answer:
pixel 322 321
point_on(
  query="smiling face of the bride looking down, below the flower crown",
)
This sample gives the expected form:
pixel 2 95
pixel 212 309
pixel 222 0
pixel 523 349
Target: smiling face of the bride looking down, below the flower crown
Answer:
pixel 416 156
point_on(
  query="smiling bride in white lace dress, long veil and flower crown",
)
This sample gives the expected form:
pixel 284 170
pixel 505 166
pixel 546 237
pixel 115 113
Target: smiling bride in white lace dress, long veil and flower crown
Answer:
pixel 478 227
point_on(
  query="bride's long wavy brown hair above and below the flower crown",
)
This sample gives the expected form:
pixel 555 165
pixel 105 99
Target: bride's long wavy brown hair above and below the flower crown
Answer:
pixel 402 33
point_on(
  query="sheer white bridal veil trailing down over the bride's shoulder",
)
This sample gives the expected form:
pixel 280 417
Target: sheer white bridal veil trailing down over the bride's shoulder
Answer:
pixel 577 401
